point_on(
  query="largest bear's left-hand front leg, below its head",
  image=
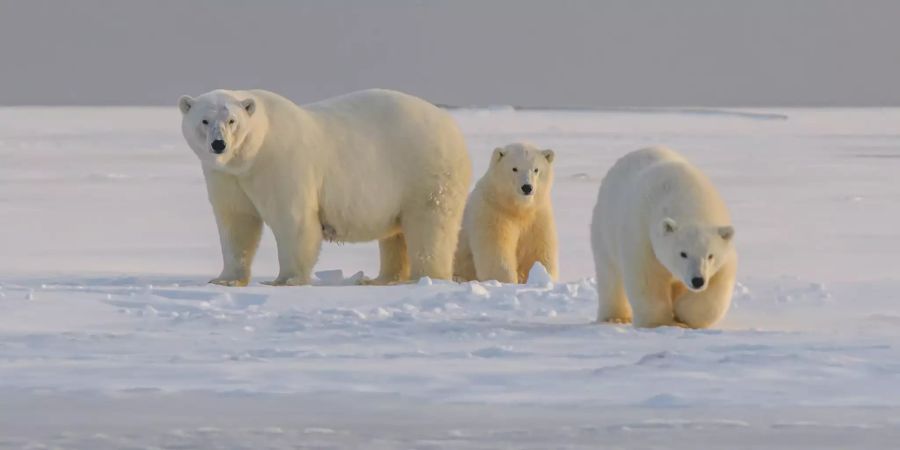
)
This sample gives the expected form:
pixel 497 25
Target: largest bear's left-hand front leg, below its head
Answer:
pixel 240 228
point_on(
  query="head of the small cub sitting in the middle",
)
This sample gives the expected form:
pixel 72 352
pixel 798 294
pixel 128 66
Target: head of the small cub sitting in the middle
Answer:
pixel 521 172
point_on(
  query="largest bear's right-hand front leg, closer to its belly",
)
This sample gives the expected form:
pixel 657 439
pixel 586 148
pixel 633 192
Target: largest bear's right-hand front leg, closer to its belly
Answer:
pixel 298 245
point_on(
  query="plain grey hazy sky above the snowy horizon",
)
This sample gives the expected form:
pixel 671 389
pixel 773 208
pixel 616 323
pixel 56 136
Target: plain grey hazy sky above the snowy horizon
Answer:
pixel 549 53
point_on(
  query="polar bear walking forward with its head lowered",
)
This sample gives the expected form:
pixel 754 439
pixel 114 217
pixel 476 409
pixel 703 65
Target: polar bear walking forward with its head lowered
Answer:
pixel 662 242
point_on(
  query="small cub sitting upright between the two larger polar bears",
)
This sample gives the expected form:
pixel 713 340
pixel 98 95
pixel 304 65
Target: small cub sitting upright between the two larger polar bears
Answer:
pixel 508 222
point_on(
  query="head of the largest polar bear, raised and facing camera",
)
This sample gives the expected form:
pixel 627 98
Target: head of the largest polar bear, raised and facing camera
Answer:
pixel 222 129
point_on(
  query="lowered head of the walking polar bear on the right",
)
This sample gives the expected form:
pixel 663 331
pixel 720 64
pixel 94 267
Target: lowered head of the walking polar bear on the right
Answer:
pixel 692 252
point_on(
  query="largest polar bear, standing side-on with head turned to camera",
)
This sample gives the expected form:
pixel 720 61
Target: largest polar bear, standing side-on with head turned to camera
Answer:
pixel 369 165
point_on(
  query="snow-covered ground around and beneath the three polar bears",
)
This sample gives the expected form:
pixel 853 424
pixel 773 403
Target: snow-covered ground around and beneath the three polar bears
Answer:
pixel 110 338
